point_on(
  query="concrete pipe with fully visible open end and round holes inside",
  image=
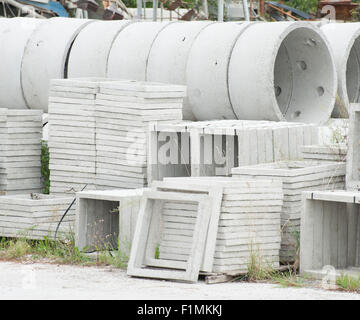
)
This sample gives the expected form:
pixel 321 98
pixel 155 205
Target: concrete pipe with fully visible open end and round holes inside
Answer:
pixel 283 71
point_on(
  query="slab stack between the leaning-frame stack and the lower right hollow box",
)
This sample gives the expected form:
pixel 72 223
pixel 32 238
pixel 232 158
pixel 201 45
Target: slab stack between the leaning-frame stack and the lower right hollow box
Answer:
pixel 297 176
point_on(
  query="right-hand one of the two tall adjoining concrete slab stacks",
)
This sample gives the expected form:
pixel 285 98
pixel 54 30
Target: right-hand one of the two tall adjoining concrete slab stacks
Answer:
pixel 124 110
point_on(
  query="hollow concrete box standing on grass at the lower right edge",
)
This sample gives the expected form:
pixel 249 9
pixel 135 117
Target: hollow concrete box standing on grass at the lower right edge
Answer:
pixel 330 231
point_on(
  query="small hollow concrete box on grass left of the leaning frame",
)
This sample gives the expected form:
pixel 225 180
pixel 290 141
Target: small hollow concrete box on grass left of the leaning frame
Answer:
pixel 94 221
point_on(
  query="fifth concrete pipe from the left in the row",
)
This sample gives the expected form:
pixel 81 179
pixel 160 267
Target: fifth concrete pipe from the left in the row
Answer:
pixel 170 51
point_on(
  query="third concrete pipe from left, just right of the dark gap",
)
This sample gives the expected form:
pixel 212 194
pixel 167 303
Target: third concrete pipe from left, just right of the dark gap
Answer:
pixel 90 51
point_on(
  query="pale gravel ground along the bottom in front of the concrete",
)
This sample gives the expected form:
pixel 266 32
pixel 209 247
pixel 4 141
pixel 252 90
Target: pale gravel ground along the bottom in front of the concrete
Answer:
pixel 46 281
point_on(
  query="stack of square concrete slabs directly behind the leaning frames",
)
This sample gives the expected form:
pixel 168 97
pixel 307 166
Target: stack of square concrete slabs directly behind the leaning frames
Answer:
pixel 247 225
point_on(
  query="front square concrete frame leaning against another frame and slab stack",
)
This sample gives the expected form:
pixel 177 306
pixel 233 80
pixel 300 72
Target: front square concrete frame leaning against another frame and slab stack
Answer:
pixel 142 261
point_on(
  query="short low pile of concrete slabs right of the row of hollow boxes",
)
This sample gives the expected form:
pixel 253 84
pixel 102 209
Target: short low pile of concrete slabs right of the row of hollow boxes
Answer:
pixel 336 152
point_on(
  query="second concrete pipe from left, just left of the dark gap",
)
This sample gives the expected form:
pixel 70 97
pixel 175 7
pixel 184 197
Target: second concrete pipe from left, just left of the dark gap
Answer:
pixel 46 57
